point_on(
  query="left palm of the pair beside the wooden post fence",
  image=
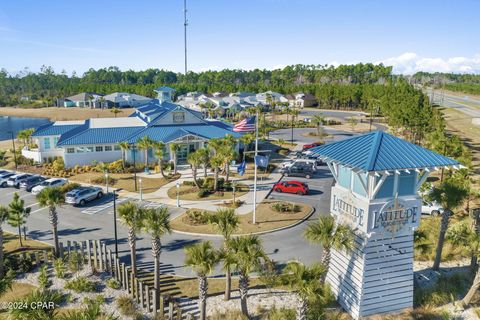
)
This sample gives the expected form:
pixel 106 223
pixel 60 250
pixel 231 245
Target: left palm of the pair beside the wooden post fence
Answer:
pixel 131 217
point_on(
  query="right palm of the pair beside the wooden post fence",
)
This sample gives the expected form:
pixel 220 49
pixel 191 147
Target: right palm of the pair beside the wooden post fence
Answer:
pixel 157 224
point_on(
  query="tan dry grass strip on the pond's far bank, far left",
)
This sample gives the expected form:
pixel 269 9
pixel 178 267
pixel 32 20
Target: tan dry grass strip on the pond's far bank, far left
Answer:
pixel 57 114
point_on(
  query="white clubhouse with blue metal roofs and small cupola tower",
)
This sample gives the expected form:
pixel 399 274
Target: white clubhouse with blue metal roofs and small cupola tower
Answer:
pixel 81 142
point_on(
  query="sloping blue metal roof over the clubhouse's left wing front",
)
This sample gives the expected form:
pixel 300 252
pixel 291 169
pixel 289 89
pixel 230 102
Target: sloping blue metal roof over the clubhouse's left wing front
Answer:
pixel 99 135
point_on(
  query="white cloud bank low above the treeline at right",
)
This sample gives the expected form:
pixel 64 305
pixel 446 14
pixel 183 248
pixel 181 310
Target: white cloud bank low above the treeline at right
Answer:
pixel 410 62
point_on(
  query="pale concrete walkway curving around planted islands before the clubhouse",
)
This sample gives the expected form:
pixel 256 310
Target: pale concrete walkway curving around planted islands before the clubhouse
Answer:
pixel 263 189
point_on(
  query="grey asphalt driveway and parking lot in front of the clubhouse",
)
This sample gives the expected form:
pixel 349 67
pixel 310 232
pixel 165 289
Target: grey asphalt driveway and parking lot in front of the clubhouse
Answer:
pixel 96 221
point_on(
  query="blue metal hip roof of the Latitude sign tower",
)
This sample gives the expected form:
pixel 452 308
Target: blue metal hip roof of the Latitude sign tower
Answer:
pixel 378 151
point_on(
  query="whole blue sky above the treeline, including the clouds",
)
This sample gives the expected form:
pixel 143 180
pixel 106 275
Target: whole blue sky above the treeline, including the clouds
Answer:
pixel 74 35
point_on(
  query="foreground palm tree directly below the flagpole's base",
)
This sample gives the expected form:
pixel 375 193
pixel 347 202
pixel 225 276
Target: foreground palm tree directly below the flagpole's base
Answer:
pixel 248 254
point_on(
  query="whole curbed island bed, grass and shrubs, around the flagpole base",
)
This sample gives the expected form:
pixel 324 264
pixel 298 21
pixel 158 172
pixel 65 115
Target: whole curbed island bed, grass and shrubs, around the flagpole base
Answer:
pixel 267 217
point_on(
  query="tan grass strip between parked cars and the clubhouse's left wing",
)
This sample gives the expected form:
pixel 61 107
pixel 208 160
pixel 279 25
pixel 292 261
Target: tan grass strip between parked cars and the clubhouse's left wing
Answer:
pixel 123 180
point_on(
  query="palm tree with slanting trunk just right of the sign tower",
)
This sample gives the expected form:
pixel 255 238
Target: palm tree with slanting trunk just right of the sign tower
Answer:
pixel 450 195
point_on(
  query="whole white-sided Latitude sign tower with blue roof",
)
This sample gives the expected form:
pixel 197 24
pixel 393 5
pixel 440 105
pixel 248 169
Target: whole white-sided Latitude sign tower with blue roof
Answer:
pixel 377 179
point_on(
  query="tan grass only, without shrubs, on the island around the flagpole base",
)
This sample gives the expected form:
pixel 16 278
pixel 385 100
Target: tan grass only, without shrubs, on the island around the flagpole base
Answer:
pixel 267 219
